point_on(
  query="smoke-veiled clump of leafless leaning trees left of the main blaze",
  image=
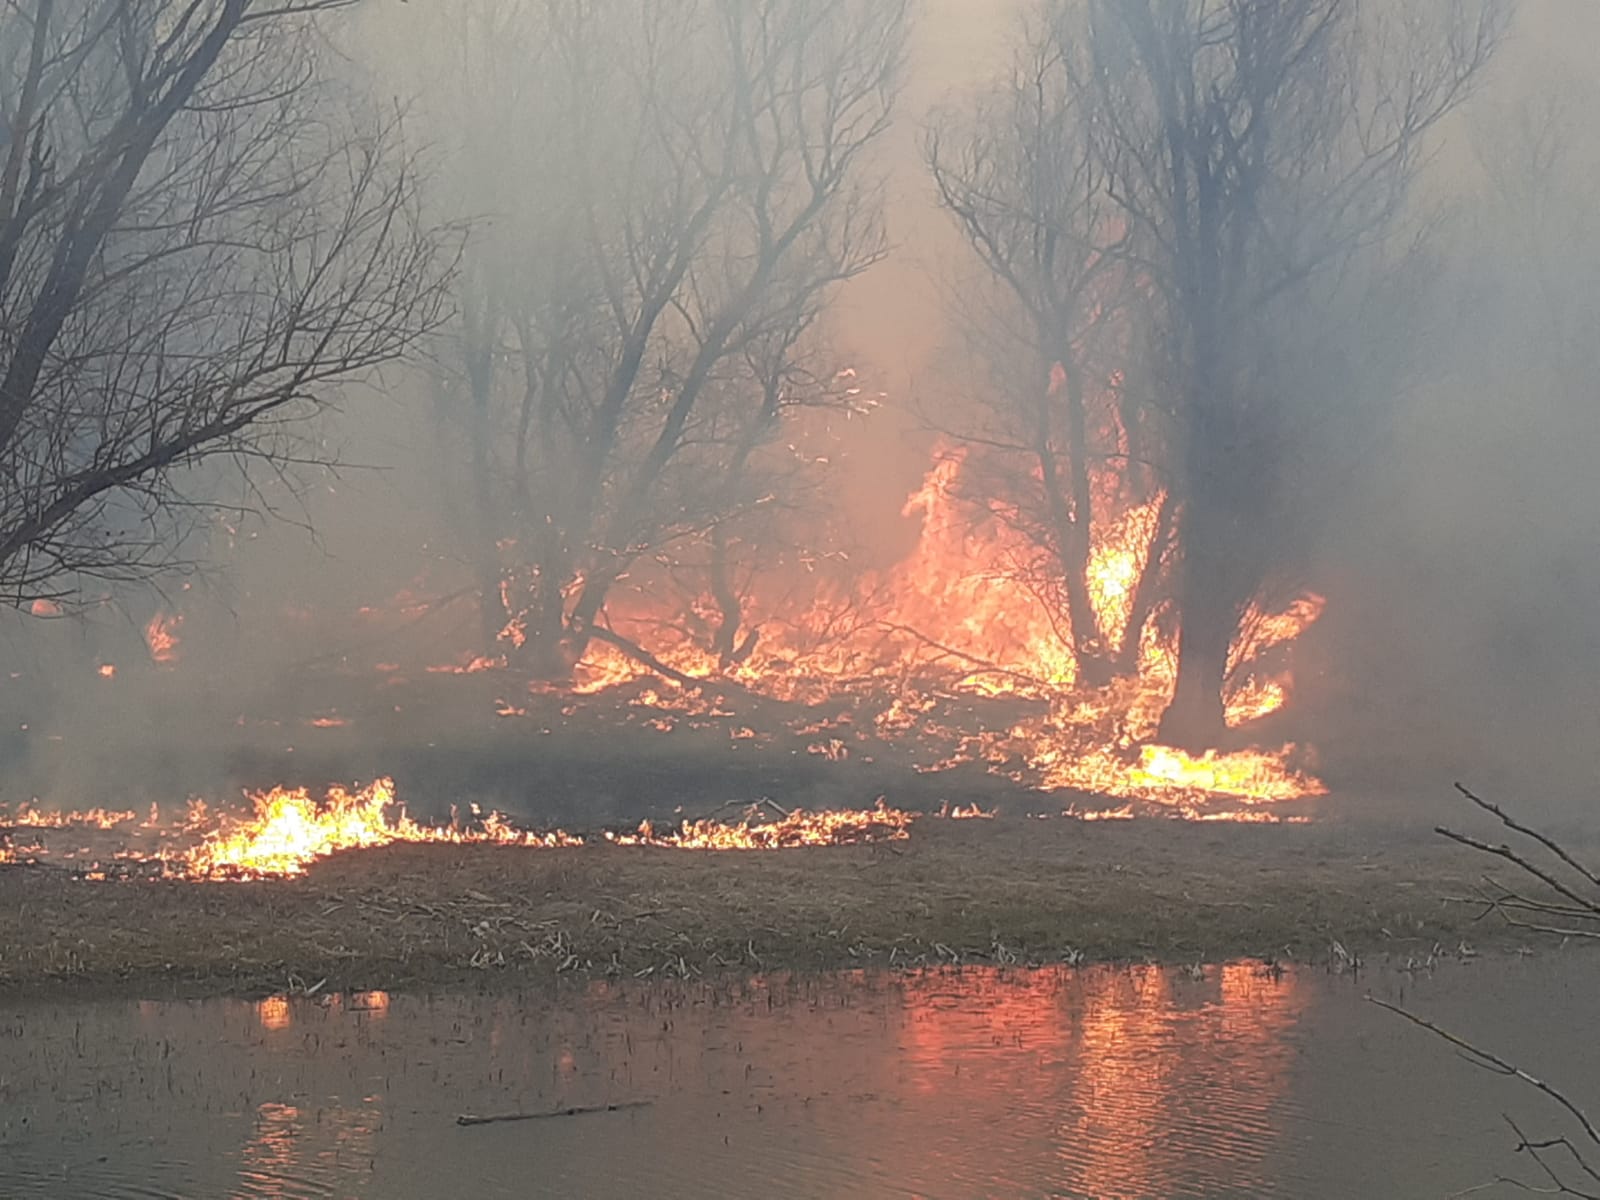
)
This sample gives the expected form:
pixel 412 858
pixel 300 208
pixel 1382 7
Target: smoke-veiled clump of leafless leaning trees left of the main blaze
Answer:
pixel 642 326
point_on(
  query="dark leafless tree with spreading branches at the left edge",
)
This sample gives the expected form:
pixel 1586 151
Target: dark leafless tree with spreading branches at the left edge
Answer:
pixel 198 244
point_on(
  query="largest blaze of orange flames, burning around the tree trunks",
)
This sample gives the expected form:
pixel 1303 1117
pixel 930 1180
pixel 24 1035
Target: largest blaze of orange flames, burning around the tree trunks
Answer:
pixel 962 615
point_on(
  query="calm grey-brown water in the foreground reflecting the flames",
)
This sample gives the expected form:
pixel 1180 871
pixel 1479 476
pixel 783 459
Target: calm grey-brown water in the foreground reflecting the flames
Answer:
pixel 980 1084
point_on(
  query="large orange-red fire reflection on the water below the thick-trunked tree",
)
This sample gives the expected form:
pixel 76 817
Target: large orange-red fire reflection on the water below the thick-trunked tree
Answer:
pixel 1124 1074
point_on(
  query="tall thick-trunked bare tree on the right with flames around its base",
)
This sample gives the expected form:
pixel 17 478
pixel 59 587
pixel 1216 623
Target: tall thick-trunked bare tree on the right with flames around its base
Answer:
pixel 1257 150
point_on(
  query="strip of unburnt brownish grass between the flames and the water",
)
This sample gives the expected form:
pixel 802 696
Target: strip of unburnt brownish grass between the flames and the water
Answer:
pixel 977 892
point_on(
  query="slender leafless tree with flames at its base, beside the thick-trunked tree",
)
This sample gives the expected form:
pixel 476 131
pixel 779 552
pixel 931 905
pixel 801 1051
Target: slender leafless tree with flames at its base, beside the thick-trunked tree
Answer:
pixel 1022 180
